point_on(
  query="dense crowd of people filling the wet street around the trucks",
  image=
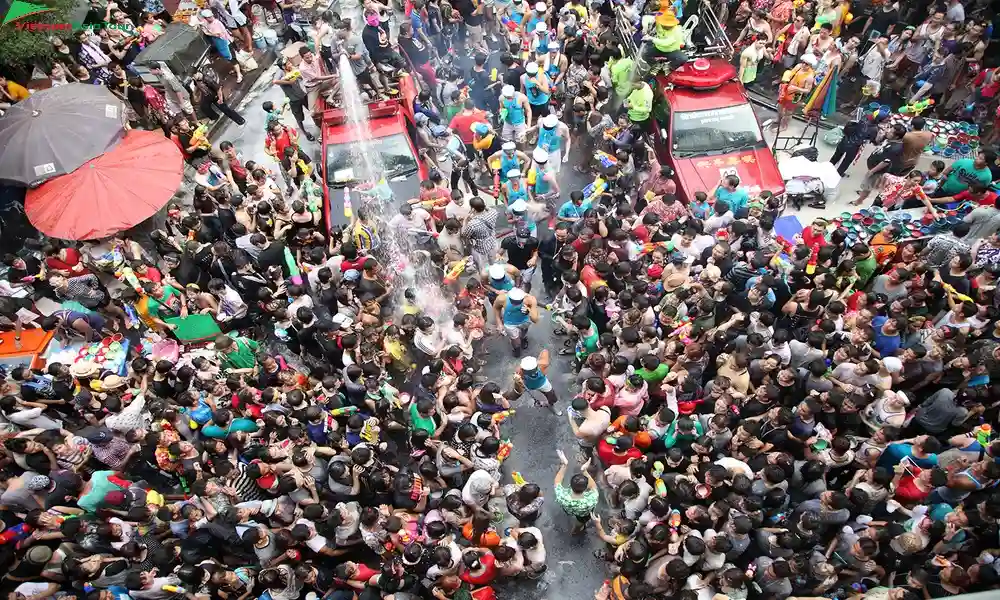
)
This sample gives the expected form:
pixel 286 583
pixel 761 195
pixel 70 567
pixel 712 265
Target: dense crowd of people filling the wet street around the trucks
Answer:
pixel 756 416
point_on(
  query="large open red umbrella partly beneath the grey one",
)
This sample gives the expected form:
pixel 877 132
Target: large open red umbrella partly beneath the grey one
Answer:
pixel 113 192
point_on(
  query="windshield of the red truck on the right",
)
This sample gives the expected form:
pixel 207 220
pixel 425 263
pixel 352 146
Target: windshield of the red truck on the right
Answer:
pixel 716 131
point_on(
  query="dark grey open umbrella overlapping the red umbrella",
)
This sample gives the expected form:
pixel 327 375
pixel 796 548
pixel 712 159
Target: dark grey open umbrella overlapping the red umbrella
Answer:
pixel 56 130
